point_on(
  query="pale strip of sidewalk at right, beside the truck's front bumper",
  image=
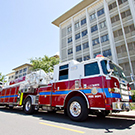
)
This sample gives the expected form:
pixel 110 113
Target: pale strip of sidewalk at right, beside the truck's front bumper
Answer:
pixel 130 114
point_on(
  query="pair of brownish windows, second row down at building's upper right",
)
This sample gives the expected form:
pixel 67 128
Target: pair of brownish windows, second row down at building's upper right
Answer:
pixel 123 15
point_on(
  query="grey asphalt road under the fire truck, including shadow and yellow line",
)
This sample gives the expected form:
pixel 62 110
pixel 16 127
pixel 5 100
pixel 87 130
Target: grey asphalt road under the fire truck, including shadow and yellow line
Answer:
pixel 15 122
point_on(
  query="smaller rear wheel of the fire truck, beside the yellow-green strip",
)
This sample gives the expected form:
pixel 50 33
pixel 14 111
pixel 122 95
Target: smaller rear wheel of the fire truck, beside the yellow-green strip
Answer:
pixel 28 108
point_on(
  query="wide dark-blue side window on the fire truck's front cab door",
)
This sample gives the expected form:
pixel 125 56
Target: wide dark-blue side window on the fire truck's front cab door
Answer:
pixel 91 69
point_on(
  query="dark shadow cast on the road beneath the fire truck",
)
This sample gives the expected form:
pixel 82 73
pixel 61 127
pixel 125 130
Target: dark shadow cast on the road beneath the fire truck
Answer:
pixel 92 122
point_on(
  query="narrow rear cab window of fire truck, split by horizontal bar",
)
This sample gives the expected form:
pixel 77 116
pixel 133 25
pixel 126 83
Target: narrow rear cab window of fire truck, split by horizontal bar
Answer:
pixel 63 72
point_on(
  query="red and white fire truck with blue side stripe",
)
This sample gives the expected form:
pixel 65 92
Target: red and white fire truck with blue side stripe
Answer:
pixel 97 86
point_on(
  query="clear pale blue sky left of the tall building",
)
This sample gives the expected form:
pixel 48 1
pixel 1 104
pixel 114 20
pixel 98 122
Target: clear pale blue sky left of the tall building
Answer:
pixel 26 30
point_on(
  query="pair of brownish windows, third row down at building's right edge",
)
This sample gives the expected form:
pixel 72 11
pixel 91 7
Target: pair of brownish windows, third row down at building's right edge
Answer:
pixel 127 30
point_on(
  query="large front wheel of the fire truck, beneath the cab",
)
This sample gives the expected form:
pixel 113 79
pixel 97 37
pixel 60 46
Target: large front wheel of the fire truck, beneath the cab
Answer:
pixel 77 109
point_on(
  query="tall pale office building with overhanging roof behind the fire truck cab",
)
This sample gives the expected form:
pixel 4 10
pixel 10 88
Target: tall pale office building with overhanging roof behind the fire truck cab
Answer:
pixel 95 27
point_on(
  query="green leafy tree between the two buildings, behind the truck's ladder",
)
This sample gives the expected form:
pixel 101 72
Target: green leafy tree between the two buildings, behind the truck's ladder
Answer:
pixel 46 63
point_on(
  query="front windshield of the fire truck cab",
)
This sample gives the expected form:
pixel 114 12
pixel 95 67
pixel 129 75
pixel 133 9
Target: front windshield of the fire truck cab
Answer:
pixel 116 70
